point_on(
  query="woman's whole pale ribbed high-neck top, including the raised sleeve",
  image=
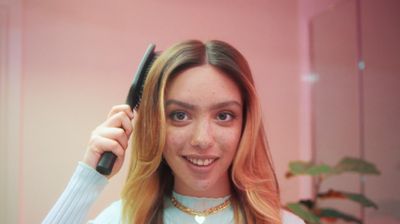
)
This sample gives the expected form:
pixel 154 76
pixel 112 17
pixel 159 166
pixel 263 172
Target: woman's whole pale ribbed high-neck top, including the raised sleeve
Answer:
pixel 86 184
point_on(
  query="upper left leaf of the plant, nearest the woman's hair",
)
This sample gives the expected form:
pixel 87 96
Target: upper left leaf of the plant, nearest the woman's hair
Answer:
pixel 307 168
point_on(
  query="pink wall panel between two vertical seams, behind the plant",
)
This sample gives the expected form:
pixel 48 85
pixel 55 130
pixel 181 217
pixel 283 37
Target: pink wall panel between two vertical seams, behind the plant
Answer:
pixel 335 96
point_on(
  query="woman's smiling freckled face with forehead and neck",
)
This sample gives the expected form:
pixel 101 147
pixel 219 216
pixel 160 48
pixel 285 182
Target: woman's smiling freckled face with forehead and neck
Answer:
pixel 204 111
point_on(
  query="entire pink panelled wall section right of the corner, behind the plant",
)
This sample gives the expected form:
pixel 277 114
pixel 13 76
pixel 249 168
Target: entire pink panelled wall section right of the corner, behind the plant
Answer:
pixel 354 115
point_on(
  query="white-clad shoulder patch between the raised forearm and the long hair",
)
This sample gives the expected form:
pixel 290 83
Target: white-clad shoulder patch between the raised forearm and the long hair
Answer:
pixel 110 215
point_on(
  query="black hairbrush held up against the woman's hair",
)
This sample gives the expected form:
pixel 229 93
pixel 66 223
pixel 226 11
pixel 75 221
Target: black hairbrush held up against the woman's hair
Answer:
pixel 107 160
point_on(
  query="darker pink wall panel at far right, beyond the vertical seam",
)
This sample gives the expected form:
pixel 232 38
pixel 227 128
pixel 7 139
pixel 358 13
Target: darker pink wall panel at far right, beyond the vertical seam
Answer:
pixel 381 51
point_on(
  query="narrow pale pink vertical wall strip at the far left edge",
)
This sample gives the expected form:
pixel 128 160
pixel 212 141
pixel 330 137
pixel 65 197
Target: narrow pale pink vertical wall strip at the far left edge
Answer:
pixel 10 94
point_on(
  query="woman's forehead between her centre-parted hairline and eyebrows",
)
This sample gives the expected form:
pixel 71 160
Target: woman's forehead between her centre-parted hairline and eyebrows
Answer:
pixel 203 83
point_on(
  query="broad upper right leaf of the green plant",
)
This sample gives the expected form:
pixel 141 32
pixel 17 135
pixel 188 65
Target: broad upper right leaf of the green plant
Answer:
pixel 349 164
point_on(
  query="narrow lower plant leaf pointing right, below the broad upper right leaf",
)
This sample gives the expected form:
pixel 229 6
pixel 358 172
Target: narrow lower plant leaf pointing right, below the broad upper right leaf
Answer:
pixel 359 198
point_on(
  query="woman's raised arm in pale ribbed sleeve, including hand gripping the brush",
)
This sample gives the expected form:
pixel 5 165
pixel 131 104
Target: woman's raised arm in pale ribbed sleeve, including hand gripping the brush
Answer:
pixel 86 183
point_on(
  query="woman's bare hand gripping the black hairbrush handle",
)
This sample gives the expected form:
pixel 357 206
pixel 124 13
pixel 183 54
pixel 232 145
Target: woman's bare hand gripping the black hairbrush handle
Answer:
pixel 112 135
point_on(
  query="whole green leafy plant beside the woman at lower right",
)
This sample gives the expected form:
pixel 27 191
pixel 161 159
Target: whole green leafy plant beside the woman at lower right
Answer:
pixel 310 209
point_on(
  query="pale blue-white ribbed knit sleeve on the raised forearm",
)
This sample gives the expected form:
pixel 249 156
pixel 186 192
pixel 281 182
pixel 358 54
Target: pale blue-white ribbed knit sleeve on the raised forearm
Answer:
pixel 74 203
